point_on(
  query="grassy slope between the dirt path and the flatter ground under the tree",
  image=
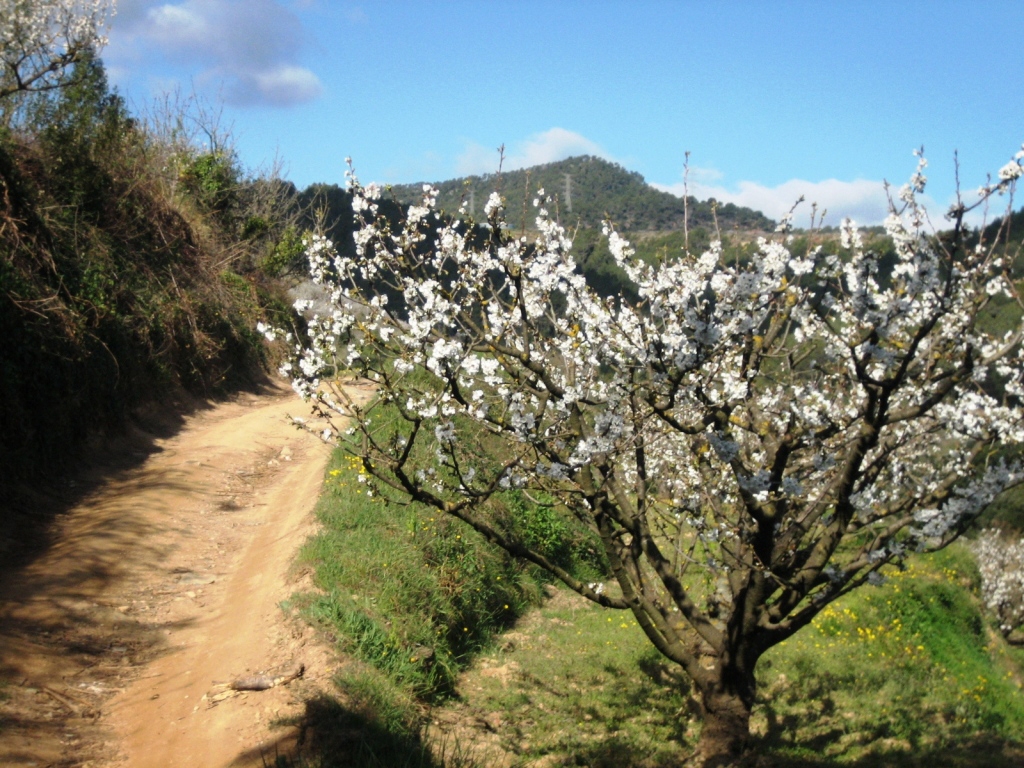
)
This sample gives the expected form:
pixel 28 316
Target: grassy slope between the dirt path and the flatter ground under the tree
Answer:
pixel 415 598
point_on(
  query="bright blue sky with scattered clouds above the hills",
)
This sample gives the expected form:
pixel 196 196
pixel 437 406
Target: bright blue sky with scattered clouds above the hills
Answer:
pixel 773 100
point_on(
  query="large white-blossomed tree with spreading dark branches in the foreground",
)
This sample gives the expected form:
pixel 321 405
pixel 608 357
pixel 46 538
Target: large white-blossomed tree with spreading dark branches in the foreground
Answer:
pixel 750 441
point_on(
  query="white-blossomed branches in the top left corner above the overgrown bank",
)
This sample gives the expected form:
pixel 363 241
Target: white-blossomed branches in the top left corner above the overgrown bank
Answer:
pixel 41 39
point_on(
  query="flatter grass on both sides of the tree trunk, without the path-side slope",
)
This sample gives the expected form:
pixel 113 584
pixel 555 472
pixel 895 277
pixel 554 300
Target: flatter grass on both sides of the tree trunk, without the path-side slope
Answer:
pixel 905 674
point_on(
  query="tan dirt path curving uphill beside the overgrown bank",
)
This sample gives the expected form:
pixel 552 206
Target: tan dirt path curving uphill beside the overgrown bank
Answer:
pixel 163 582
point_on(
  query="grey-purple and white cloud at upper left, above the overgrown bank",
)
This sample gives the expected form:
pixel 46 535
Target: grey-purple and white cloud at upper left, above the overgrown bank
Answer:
pixel 248 49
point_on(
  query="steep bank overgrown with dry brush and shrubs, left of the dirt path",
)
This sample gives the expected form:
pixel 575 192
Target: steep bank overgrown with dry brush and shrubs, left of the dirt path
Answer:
pixel 132 268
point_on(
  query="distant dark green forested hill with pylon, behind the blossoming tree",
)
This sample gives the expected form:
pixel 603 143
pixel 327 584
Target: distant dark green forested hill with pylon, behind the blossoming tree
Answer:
pixel 588 190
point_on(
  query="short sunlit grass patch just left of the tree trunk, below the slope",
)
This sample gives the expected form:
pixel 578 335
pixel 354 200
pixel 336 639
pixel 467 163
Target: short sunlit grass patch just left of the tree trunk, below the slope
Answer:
pixel 575 685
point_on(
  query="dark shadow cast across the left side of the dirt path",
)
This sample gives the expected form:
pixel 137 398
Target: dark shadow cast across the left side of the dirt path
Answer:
pixel 64 652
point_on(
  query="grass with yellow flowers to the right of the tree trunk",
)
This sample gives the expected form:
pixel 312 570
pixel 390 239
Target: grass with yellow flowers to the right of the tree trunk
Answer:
pixel 911 667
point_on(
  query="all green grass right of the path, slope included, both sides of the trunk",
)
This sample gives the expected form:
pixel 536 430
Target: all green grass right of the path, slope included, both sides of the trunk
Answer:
pixel 910 673
